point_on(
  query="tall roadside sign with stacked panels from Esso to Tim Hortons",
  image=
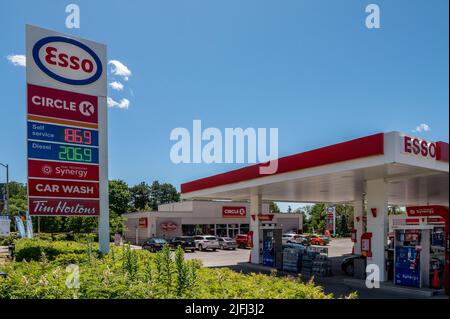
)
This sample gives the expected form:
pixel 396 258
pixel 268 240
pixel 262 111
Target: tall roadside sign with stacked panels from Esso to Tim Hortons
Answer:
pixel 66 124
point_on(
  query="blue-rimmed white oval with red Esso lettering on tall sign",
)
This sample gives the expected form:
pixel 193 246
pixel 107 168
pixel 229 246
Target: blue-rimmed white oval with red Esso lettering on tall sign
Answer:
pixel 67 60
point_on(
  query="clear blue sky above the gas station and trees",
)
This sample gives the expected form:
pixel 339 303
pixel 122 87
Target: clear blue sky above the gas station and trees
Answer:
pixel 310 68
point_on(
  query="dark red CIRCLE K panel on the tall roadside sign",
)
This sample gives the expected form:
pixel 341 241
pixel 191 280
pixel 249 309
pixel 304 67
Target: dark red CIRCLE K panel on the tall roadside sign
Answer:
pixel 60 104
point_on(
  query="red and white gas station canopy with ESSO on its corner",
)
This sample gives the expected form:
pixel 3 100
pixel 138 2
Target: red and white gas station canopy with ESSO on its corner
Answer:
pixel 416 173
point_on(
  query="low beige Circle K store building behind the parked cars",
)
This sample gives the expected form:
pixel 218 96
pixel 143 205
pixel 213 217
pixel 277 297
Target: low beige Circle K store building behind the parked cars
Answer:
pixel 219 218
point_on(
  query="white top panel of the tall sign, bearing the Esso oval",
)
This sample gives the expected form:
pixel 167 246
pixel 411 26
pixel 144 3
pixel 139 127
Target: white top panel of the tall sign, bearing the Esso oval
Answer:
pixel 65 62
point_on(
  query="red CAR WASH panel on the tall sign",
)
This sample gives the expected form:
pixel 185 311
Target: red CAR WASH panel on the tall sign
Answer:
pixel 56 188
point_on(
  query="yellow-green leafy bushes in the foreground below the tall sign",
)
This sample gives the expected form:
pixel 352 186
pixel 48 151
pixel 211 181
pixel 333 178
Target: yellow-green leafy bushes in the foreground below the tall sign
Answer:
pixel 129 273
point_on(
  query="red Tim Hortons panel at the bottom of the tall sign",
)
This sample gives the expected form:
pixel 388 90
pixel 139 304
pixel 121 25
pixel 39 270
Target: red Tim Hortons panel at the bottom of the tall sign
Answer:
pixel 63 207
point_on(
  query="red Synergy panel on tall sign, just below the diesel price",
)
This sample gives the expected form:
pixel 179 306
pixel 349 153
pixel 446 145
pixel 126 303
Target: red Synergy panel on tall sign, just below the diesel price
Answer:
pixel 61 170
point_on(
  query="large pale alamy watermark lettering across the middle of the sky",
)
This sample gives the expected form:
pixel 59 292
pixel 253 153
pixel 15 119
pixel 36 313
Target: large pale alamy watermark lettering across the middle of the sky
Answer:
pixel 235 145
